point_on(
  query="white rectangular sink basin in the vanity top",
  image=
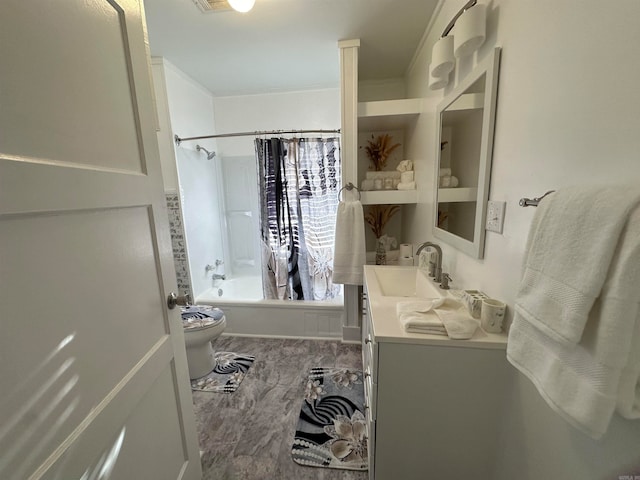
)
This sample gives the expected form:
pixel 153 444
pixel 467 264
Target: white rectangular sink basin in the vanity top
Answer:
pixel 395 281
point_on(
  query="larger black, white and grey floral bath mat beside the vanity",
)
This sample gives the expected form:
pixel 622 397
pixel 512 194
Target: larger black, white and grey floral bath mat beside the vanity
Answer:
pixel 332 429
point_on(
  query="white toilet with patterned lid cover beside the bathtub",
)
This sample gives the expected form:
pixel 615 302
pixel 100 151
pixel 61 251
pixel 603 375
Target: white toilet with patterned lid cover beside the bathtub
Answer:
pixel 202 324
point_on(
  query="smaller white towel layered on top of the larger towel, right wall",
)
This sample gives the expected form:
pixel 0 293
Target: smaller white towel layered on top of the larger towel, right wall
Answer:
pixel 570 246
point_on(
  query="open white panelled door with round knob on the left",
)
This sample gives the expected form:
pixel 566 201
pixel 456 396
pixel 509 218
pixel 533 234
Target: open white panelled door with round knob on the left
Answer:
pixel 93 376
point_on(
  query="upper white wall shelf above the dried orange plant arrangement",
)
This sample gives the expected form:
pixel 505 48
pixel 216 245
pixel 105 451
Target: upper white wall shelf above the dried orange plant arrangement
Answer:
pixel 388 114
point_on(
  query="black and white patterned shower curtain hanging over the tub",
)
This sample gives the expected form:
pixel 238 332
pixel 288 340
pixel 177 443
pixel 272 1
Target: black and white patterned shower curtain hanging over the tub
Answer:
pixel 299 180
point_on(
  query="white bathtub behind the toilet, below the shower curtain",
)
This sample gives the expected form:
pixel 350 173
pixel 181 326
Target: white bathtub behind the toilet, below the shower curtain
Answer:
pixel 249 314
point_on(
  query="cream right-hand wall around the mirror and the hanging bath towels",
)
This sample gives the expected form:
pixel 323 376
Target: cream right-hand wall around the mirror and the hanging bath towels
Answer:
pixel 567 114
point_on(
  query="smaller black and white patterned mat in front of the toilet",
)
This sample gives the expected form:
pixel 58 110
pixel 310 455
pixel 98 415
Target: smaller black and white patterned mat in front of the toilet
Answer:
pixel 227 375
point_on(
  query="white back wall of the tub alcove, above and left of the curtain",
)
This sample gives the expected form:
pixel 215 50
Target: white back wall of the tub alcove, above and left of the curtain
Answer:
pixel 314 109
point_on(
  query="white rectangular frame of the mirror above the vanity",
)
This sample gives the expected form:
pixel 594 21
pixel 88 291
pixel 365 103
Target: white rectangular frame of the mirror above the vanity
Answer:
pixel 489 66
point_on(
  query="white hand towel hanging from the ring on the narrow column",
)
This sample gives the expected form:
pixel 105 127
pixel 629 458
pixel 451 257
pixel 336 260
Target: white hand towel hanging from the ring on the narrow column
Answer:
pixel 349 251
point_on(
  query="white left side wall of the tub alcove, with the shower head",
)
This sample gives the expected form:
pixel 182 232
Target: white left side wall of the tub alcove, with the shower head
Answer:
pixel 190 109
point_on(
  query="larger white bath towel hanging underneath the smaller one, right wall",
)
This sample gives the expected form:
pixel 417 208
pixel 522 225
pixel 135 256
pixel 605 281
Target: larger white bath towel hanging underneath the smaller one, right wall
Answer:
pixel 585 382
